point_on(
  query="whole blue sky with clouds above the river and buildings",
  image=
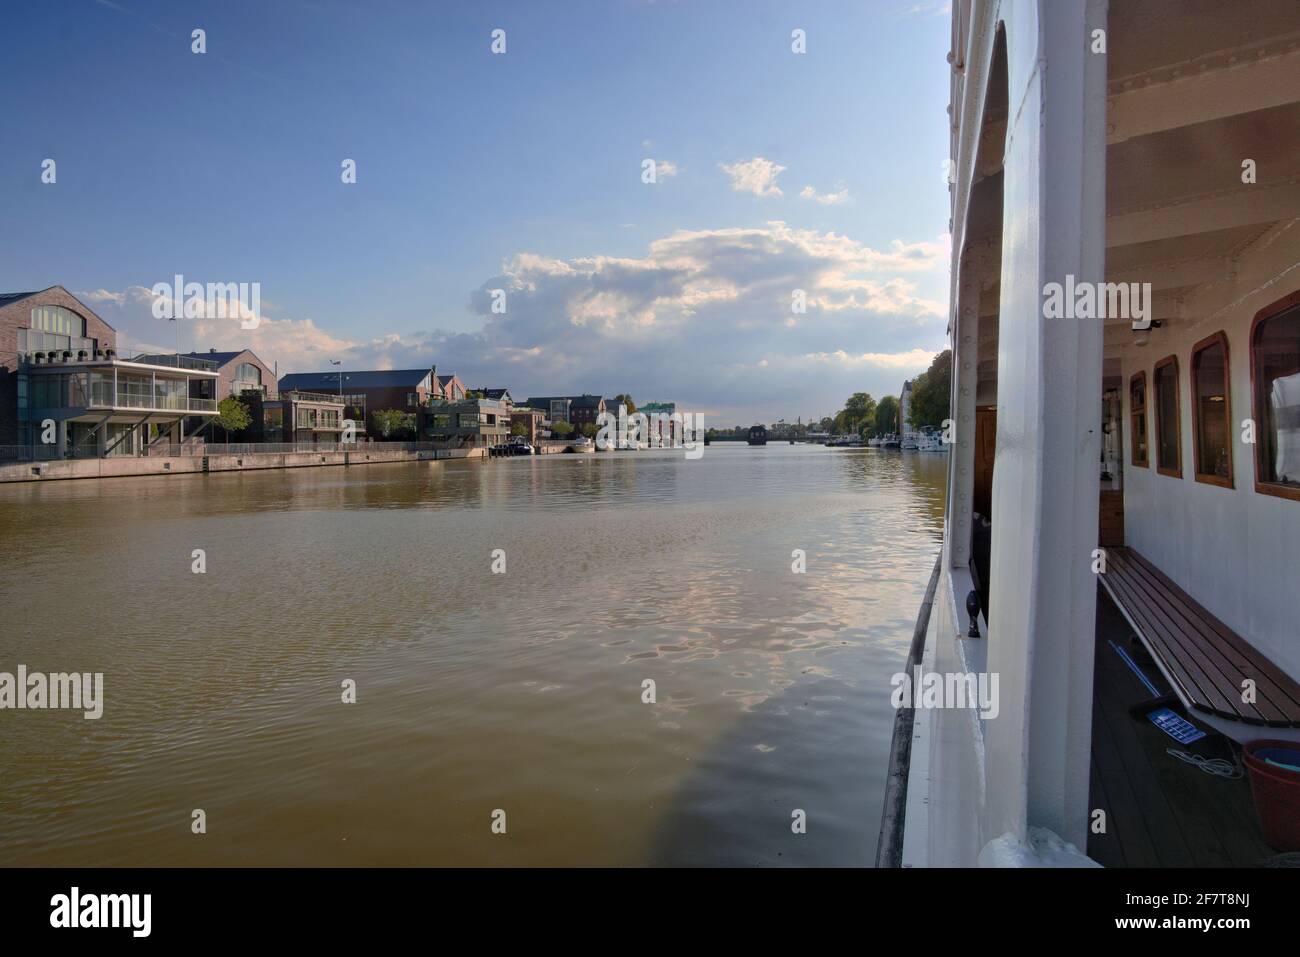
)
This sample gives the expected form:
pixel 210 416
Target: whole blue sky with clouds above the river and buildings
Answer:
pixel 518 172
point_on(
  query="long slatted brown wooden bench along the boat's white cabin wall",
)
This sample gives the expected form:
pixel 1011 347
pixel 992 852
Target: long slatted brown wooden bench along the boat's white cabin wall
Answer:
pixel 1204 661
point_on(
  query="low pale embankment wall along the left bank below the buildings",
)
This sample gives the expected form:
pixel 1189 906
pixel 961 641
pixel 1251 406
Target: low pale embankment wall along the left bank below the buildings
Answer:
pixel 190 465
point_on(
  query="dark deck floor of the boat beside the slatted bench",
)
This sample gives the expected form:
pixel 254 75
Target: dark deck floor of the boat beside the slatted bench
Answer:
pixel 1159 811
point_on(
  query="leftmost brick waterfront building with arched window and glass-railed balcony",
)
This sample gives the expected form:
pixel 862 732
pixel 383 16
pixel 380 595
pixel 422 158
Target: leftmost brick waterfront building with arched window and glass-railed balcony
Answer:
pixel 60 373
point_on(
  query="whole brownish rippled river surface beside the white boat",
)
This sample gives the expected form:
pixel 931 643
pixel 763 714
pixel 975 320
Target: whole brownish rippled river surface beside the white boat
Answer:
pixel 476 692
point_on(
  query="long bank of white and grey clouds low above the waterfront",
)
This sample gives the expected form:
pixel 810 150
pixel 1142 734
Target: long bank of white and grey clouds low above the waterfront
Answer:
pixel 703 318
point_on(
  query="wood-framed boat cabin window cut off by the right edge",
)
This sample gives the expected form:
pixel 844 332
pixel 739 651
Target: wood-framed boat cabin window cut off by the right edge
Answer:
pixel 1276 387
